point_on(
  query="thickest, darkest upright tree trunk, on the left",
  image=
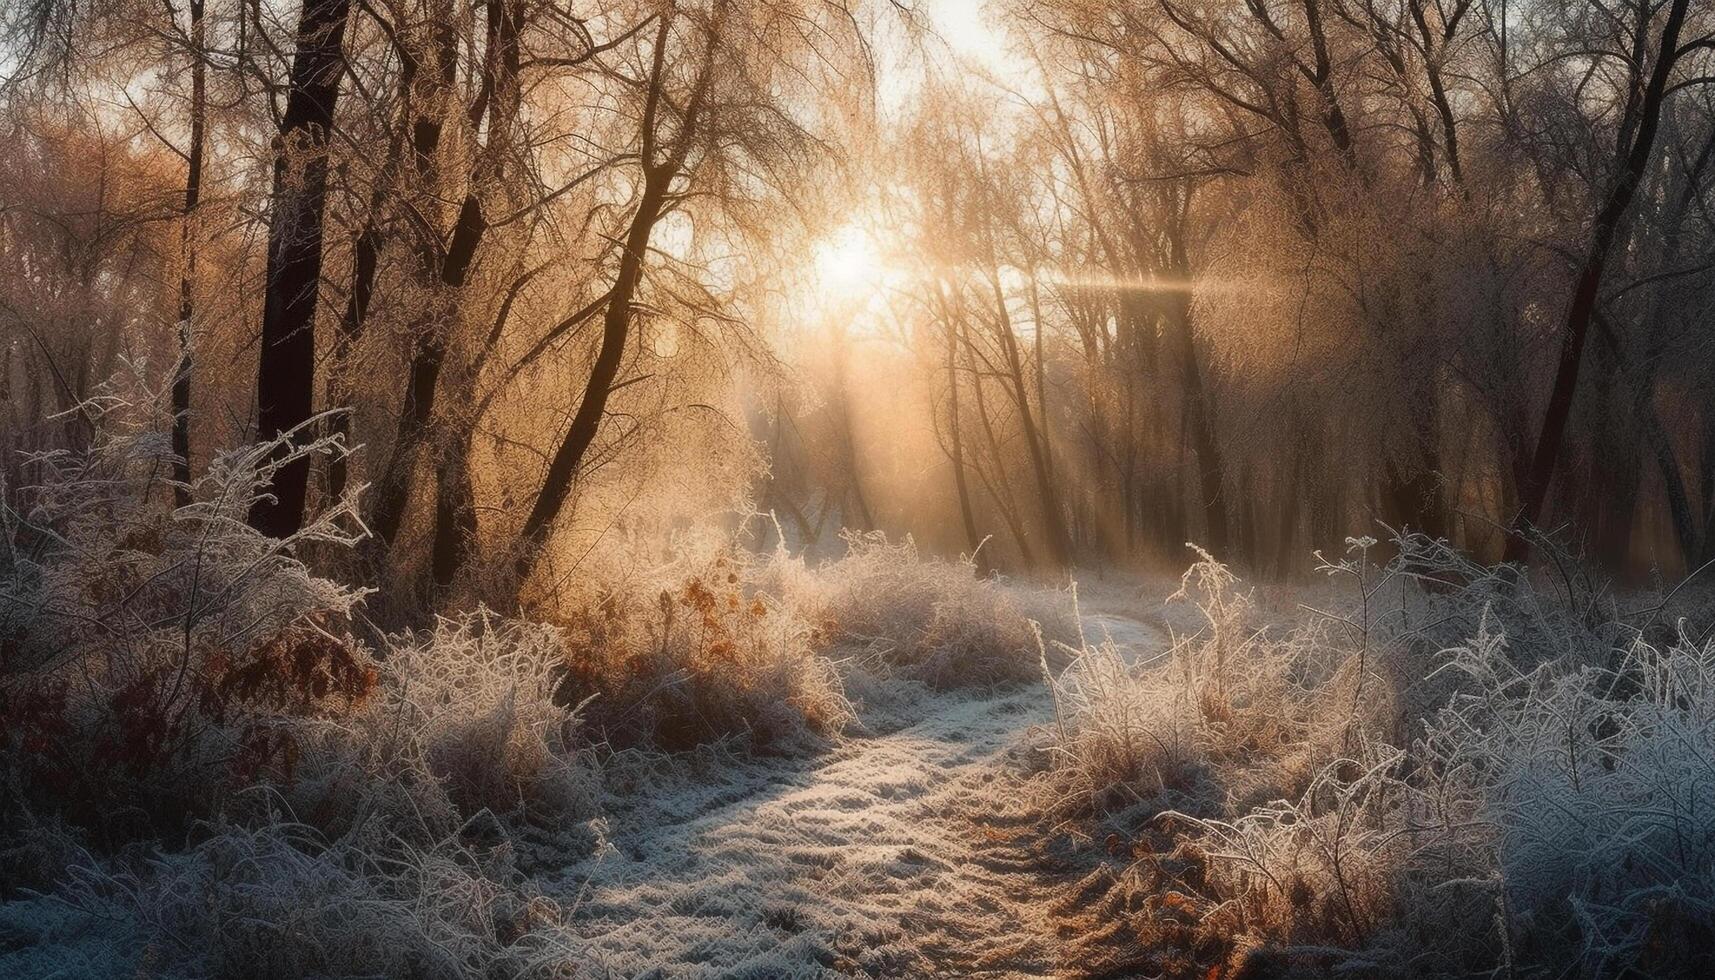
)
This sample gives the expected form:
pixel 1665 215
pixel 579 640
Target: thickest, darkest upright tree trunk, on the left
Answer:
pixel 286 377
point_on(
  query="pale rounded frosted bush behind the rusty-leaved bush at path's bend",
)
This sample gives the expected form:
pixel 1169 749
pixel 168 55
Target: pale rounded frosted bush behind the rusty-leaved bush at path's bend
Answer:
pixel 936 620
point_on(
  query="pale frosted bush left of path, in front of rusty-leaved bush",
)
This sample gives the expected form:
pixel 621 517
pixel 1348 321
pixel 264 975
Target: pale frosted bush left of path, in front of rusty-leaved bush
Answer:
pixel 466 718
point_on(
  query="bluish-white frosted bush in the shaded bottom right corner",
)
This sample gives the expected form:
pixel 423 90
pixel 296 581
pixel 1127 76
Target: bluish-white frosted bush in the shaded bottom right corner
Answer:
pixel 1599 792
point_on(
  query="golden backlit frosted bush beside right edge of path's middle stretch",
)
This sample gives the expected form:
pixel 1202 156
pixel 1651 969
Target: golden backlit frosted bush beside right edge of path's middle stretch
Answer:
pixel 1236 696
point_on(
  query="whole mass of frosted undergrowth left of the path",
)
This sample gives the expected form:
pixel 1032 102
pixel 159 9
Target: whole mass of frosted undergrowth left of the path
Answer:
pixel 214 765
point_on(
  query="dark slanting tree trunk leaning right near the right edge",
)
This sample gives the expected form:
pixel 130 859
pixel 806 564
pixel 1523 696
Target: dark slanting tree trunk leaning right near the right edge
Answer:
pixel 1587 293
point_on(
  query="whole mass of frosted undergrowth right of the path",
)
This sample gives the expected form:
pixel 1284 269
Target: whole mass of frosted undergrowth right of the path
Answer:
pixel 1393 783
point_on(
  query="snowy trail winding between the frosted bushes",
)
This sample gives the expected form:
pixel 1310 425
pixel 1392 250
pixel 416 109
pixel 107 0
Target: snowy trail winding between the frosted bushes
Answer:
pixel 905 854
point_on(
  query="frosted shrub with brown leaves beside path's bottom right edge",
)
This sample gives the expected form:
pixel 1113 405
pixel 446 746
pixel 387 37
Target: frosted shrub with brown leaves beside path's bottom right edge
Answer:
pixel 1364 869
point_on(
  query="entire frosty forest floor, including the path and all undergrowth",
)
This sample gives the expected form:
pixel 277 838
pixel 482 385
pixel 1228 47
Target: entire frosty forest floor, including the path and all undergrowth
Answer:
pixel 889 766
